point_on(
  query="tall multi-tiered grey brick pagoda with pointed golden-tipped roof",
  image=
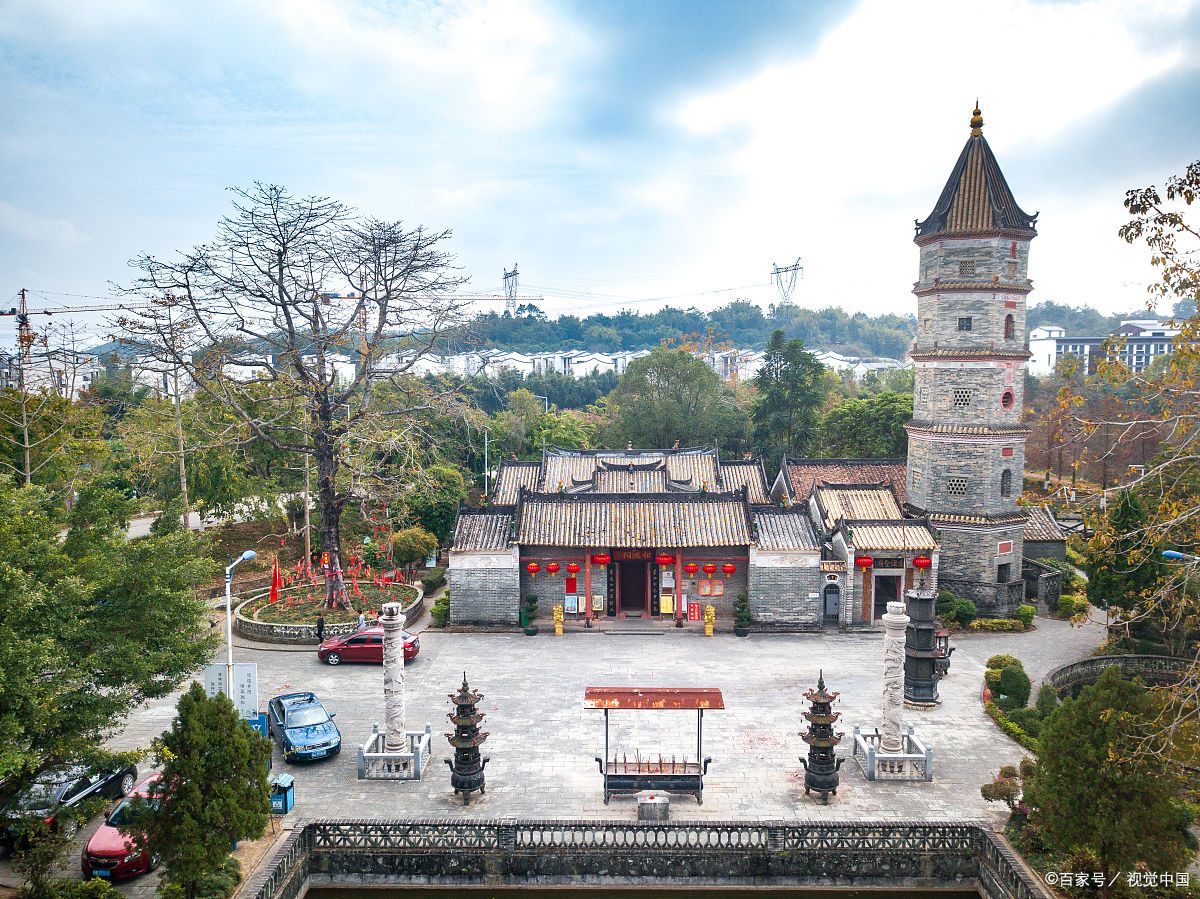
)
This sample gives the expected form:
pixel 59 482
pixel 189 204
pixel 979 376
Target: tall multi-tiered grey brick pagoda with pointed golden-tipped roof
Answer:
pixel 967 442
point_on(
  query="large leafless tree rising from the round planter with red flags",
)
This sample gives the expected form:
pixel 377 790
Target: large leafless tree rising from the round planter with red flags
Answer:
pixel 309 298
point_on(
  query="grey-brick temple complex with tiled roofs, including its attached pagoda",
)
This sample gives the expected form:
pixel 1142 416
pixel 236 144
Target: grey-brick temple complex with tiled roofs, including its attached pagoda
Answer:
pixel 658 535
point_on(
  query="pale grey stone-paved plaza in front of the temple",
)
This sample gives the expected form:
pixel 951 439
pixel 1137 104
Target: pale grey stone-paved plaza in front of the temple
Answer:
pixel 543 741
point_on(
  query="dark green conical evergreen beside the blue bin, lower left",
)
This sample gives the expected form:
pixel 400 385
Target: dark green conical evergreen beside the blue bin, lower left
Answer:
pixel 212 794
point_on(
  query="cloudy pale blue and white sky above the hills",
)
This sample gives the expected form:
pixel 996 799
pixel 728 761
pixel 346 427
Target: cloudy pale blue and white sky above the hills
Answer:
pixel 625 154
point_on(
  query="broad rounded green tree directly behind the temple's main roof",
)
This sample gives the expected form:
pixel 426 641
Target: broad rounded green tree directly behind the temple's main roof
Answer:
pixel 673 397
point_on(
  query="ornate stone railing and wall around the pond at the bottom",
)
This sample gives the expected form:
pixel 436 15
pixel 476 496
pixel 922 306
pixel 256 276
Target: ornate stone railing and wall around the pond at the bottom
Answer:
pixel 514 853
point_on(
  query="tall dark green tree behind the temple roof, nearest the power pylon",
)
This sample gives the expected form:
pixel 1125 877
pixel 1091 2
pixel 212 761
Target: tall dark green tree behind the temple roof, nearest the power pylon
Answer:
pixel 791 391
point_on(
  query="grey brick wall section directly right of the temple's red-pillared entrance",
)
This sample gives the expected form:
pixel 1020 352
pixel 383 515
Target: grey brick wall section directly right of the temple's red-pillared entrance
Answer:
pixel 785 590
